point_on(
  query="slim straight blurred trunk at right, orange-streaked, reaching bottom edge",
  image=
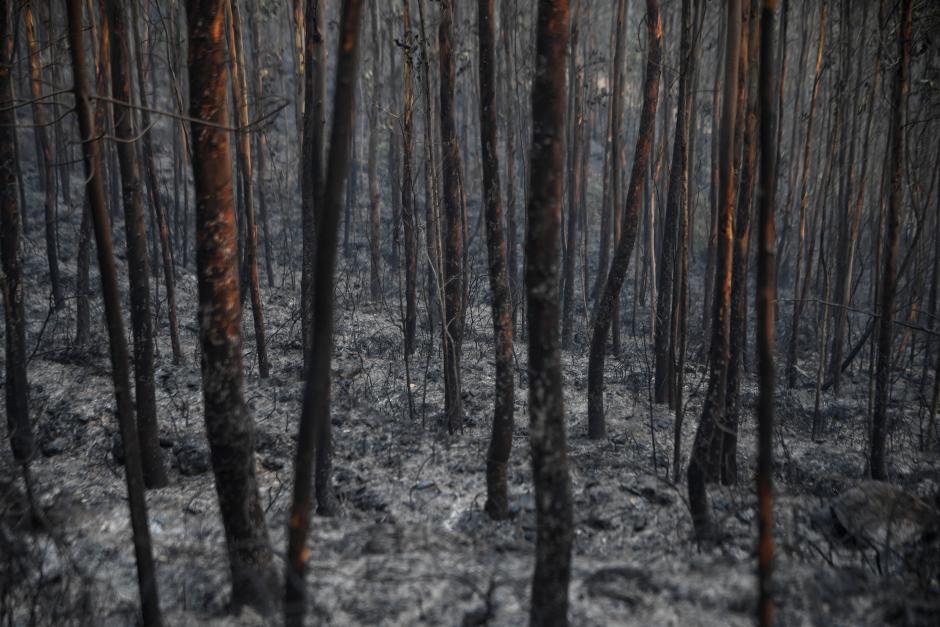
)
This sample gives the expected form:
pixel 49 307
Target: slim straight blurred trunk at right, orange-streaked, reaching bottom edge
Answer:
pixel 764 302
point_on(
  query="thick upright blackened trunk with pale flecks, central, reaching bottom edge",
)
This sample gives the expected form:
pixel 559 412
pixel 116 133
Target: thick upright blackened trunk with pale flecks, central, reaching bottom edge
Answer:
pixel 554 535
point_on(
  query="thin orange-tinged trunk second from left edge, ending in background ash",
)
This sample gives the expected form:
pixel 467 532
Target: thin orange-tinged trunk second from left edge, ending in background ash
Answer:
pixel 44 147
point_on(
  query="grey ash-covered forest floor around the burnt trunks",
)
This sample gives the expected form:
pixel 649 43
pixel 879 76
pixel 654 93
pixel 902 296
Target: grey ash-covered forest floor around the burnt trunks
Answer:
pixel 411 544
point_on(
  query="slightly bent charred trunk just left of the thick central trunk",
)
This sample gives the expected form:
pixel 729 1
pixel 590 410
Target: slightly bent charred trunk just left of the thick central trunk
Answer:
pixel 497 501
